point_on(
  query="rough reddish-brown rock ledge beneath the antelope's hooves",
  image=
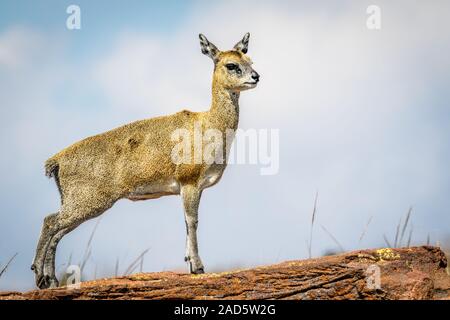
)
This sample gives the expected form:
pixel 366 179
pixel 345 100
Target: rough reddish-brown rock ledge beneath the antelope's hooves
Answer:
pixel 407 273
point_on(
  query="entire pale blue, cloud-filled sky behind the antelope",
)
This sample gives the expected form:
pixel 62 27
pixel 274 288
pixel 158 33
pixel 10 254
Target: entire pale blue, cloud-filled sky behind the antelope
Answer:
pixel 363 118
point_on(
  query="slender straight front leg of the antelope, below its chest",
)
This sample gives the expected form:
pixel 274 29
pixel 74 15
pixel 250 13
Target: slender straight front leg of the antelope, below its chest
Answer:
pixel 191 199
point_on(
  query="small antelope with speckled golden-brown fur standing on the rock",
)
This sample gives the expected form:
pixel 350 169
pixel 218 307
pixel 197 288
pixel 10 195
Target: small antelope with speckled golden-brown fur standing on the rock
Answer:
pixel 94 173
